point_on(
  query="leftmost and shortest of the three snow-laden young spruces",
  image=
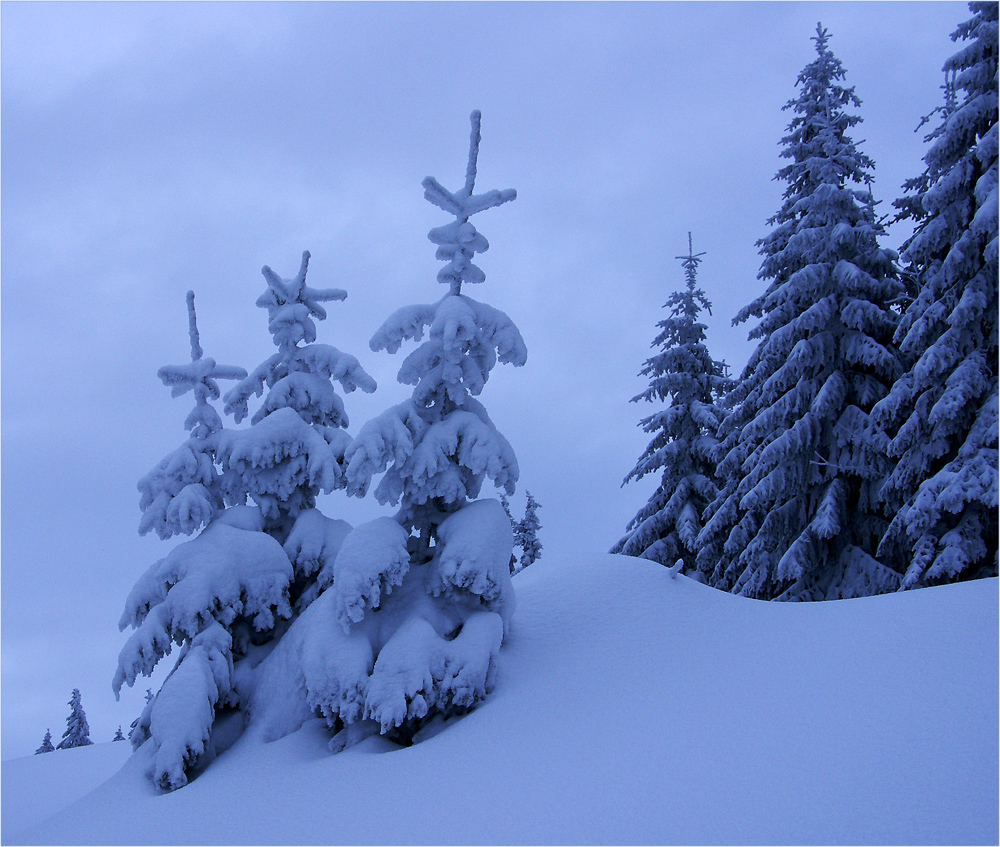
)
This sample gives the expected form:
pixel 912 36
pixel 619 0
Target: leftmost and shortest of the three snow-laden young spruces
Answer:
pixel 202 590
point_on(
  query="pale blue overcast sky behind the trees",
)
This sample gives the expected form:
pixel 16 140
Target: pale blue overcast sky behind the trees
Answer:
pixel 152 148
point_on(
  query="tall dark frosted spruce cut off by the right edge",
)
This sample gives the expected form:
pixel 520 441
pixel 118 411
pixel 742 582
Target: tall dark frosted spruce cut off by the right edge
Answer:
pixel 942 413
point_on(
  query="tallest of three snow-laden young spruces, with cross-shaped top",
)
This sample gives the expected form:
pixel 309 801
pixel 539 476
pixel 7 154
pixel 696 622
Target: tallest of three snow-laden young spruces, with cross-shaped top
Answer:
pixel 418 605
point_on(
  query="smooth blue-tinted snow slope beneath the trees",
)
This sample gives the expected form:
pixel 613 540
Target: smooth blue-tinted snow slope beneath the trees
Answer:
pixel 631 707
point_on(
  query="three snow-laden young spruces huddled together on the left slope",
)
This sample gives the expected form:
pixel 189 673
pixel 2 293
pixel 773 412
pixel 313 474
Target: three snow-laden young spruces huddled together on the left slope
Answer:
pixel 282 613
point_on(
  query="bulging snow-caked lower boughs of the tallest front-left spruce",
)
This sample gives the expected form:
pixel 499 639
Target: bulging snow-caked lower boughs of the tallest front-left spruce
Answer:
pixel 375 652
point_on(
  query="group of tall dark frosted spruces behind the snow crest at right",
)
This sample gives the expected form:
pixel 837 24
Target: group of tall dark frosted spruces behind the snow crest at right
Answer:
pixel 857 452
